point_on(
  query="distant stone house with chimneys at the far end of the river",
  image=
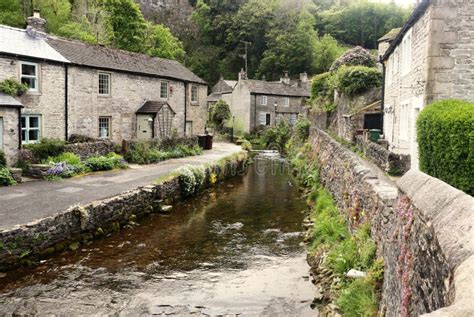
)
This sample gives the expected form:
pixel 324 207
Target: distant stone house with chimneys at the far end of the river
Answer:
pixel 260 103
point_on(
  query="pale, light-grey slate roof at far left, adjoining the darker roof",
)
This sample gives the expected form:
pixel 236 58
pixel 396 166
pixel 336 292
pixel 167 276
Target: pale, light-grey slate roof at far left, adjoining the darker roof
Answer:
pixel 19 42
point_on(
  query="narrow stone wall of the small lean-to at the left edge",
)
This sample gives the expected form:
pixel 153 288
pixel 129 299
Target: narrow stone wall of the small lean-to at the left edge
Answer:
pixel 11 137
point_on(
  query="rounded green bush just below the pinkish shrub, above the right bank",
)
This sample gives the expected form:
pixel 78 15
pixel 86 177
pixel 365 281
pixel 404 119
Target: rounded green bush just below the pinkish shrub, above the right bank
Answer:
pixel 353 80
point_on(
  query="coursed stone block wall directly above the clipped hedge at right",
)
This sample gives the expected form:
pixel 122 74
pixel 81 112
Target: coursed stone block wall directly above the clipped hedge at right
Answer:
pixel 450 54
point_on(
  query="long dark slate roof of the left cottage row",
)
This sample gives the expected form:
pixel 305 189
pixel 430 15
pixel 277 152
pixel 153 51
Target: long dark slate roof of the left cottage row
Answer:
pixel 107 58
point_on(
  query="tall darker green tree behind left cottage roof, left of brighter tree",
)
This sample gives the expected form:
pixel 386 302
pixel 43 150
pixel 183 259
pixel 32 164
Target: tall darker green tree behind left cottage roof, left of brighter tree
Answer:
pixel 128 27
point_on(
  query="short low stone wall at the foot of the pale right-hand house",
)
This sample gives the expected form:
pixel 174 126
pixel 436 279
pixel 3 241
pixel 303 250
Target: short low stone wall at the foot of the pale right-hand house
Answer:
pixel 394 164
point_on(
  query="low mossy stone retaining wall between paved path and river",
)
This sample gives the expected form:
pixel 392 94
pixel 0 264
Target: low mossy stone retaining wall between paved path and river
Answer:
pixel 78 224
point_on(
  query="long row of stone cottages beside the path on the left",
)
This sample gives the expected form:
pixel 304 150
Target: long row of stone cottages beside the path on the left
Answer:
pixel 92 90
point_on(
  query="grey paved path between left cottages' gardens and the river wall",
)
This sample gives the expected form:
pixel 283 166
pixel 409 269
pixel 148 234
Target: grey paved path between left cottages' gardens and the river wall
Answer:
pixel 35 200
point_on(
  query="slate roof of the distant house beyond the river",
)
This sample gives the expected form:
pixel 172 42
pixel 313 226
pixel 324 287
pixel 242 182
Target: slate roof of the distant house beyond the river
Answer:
pixel 276 88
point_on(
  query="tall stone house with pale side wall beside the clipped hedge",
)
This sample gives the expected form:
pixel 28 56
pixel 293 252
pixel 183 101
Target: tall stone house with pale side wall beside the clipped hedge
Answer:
pixel 431 58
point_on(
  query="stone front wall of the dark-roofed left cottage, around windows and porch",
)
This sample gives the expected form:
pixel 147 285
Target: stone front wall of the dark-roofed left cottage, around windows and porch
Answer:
pixel 128 93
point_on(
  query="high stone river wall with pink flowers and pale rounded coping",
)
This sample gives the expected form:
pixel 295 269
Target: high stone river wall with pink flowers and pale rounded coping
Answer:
pixel 424 230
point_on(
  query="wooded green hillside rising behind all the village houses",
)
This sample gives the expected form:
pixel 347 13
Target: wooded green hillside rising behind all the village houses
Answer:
pixel 293 35
